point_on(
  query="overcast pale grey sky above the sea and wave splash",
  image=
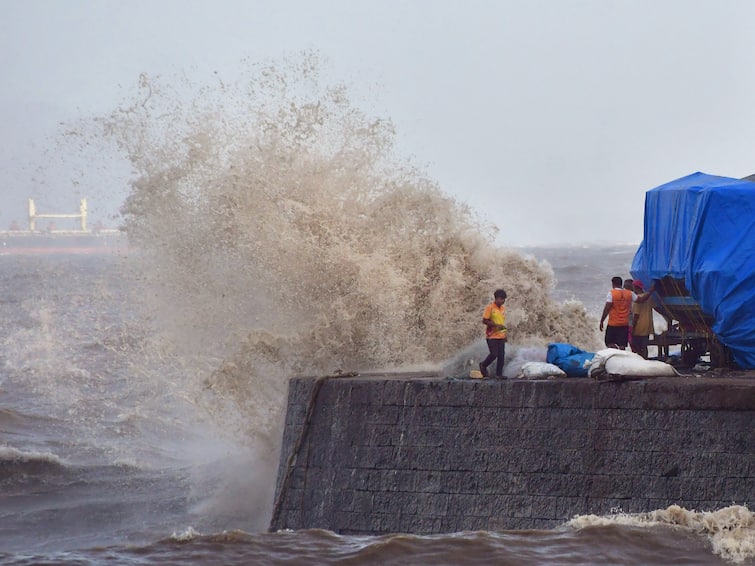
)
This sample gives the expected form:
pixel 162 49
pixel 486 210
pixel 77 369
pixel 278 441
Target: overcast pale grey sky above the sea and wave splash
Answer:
pixel 550 118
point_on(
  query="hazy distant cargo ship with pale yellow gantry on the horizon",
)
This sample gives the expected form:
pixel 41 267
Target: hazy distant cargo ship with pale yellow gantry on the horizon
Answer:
pixel 49 239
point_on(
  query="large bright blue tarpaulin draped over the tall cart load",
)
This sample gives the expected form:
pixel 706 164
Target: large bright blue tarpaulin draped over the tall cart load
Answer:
pixel 701 229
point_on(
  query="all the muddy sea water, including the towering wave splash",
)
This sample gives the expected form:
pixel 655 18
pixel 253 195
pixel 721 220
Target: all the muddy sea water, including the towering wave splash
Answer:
pixel 274 230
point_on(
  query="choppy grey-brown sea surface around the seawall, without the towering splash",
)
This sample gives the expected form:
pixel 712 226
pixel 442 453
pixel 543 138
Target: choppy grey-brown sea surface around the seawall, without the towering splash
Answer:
pixel 108 453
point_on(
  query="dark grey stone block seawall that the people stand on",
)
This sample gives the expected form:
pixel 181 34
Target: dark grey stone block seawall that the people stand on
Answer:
pixel 420 454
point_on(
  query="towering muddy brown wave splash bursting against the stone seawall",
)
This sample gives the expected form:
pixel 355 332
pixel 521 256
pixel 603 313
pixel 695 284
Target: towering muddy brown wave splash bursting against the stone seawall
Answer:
pixel 277 230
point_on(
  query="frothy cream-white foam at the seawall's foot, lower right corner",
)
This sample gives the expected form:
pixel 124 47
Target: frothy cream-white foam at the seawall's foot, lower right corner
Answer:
pixel 730 530
